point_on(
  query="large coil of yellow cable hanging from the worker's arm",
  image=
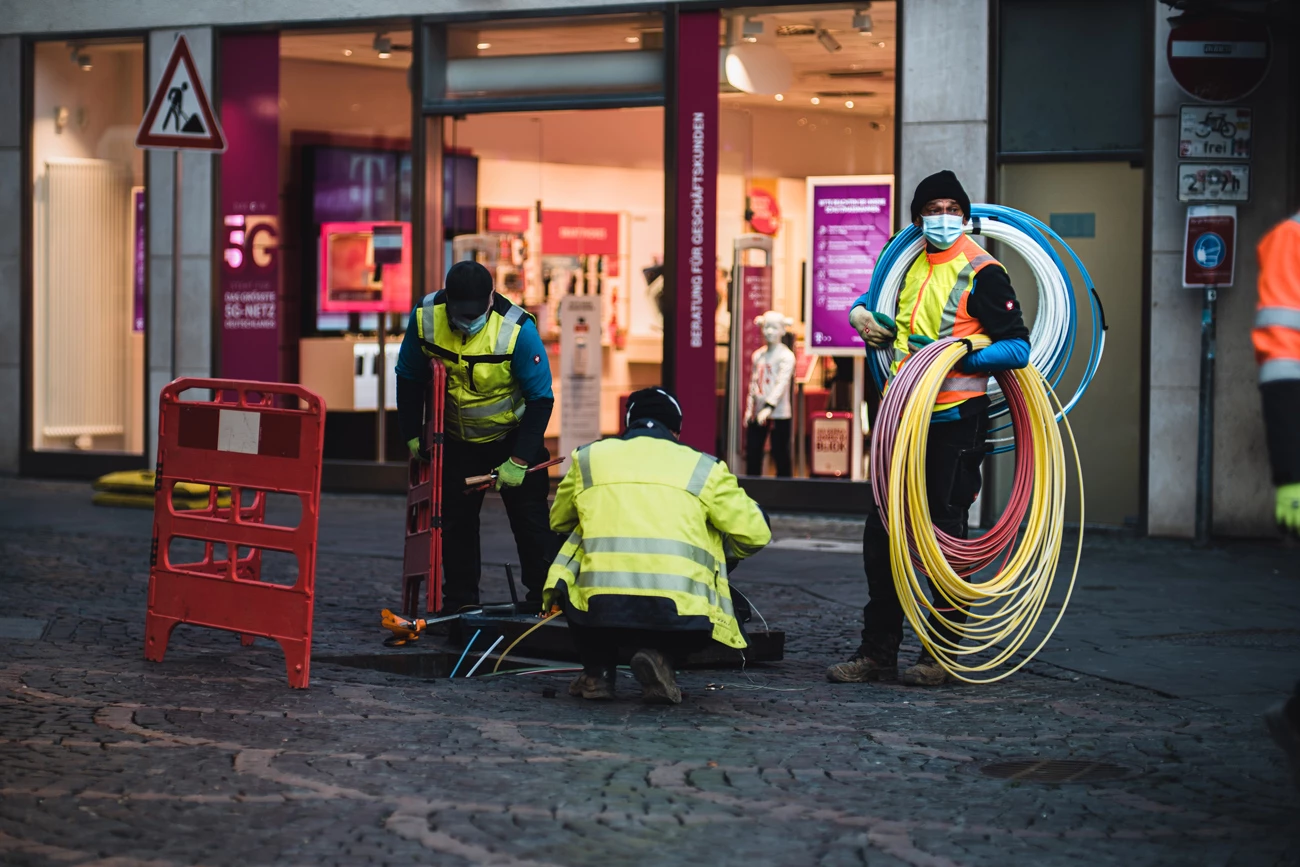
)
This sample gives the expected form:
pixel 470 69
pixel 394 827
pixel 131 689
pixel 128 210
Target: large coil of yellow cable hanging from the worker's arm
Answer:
pixel 1004 609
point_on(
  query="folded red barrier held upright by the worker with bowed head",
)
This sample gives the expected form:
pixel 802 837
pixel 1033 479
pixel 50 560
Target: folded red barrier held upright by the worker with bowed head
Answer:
pixel 422 560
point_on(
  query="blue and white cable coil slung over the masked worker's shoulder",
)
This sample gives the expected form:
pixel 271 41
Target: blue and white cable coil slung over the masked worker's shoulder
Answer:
pixel 1052 337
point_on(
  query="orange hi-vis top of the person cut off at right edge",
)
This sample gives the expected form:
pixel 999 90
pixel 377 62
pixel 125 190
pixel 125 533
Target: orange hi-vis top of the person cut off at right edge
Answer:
pixel 1277 319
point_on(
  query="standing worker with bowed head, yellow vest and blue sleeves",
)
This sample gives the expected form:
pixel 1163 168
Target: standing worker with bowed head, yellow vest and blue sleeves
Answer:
pixel 497 408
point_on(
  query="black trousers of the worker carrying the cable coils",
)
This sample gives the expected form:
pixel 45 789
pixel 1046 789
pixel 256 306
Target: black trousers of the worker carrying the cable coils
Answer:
pixel 954 458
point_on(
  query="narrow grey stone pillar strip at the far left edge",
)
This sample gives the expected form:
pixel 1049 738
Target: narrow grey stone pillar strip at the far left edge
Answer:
pixel 11 252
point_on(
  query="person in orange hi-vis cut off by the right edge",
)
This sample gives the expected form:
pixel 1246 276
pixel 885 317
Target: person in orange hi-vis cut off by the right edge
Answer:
pixel 1277 350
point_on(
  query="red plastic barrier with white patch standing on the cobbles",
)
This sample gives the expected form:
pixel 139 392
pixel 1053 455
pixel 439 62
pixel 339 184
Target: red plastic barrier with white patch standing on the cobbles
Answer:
pixel 250 441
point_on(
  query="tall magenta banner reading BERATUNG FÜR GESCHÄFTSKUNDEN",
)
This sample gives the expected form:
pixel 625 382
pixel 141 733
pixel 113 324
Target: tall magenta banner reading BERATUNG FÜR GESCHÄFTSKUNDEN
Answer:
pixel 695 272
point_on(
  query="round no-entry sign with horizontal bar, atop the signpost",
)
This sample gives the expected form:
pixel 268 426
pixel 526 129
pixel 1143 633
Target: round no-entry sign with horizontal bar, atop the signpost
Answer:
pixel 1219 59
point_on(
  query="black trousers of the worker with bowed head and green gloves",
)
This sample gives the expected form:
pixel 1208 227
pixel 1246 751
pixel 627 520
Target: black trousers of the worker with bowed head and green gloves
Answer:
pixel 526 508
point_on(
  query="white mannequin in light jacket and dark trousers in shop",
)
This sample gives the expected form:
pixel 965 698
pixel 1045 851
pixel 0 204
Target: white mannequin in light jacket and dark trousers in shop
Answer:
pixel 768 408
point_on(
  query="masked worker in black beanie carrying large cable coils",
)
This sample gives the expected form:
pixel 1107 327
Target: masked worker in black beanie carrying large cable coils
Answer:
pixel 955 291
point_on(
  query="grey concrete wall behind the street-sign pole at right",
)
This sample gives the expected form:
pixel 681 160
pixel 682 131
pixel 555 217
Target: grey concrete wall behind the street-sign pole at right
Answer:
pixel 1243 501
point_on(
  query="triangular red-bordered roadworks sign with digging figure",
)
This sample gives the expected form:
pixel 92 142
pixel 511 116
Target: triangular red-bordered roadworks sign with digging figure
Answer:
pixel 180 116
